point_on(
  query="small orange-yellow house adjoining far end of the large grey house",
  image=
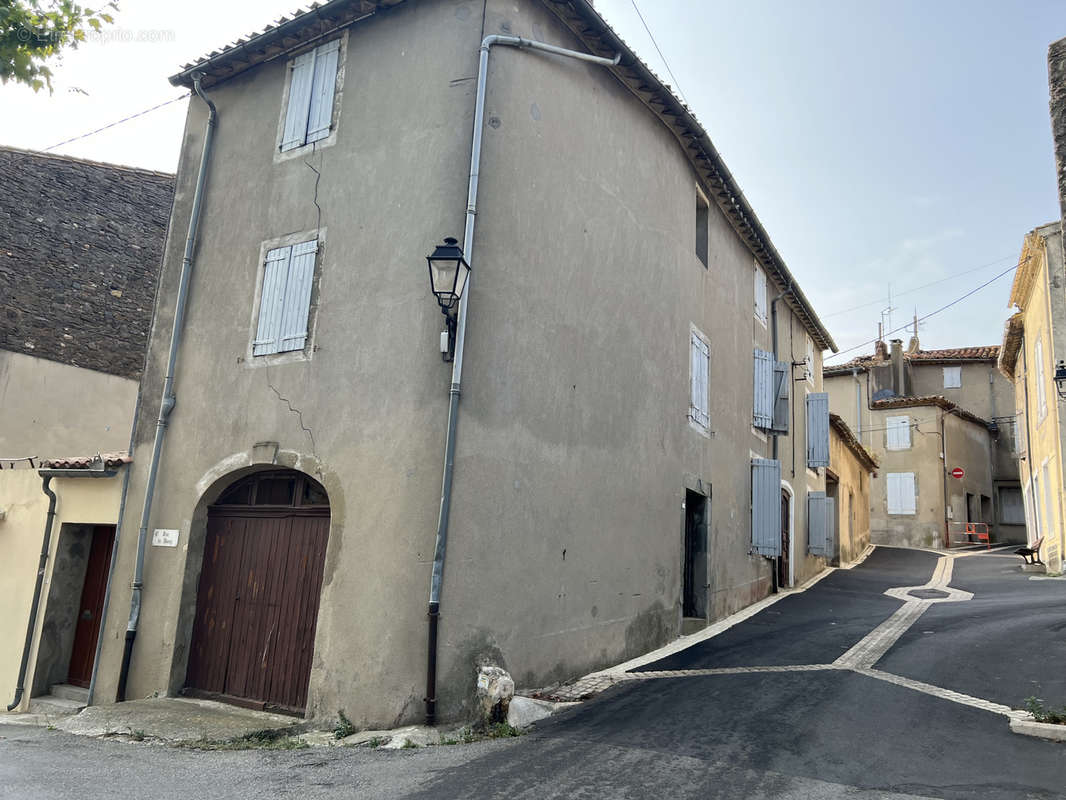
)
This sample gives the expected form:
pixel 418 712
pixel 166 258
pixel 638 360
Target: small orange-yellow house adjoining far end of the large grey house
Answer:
pixel 848 486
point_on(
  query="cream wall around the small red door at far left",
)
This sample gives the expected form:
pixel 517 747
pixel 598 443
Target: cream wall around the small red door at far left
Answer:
pixel 79 502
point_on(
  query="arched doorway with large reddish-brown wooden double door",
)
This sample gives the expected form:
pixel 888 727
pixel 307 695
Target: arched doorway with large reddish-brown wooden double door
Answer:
pixel 259 598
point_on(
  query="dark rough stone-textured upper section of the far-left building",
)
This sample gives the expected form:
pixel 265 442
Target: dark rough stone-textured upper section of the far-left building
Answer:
pixel 80 249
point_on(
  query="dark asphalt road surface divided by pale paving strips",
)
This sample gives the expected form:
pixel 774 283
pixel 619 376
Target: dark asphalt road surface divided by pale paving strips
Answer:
pixel 813 734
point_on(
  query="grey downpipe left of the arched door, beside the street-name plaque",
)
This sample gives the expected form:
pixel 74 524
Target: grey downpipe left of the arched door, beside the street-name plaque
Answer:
pixel 169 401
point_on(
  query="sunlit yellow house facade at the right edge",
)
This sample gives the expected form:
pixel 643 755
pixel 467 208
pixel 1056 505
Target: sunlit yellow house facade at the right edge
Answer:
pixel 1035 343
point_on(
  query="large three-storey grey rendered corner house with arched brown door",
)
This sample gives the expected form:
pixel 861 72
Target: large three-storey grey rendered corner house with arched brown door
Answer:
pixel 642 425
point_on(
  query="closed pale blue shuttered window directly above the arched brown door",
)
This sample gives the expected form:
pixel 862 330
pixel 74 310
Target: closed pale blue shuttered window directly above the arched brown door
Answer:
pixel 286 299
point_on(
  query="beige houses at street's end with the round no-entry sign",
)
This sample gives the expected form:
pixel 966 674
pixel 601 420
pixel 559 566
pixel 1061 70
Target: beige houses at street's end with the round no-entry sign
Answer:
pixel 941 426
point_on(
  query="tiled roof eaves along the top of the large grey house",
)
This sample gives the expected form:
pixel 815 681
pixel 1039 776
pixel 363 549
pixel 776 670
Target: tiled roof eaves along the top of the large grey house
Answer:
pixel 586 23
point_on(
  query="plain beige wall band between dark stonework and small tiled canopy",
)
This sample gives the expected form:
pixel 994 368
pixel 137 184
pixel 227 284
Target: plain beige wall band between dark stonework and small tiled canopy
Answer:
pixel 55 410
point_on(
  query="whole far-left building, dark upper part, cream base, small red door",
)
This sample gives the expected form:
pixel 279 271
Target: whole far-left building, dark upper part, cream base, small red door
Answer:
pixel 80 248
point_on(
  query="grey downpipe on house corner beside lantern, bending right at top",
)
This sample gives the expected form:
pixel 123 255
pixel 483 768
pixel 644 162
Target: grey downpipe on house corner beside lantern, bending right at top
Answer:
pixel 441 548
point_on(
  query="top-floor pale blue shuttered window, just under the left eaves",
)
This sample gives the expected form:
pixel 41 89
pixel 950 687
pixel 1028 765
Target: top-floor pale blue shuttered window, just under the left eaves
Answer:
pixel 309 114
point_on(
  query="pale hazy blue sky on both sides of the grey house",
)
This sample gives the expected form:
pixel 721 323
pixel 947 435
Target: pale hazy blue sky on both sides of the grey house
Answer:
pixel 892 149
